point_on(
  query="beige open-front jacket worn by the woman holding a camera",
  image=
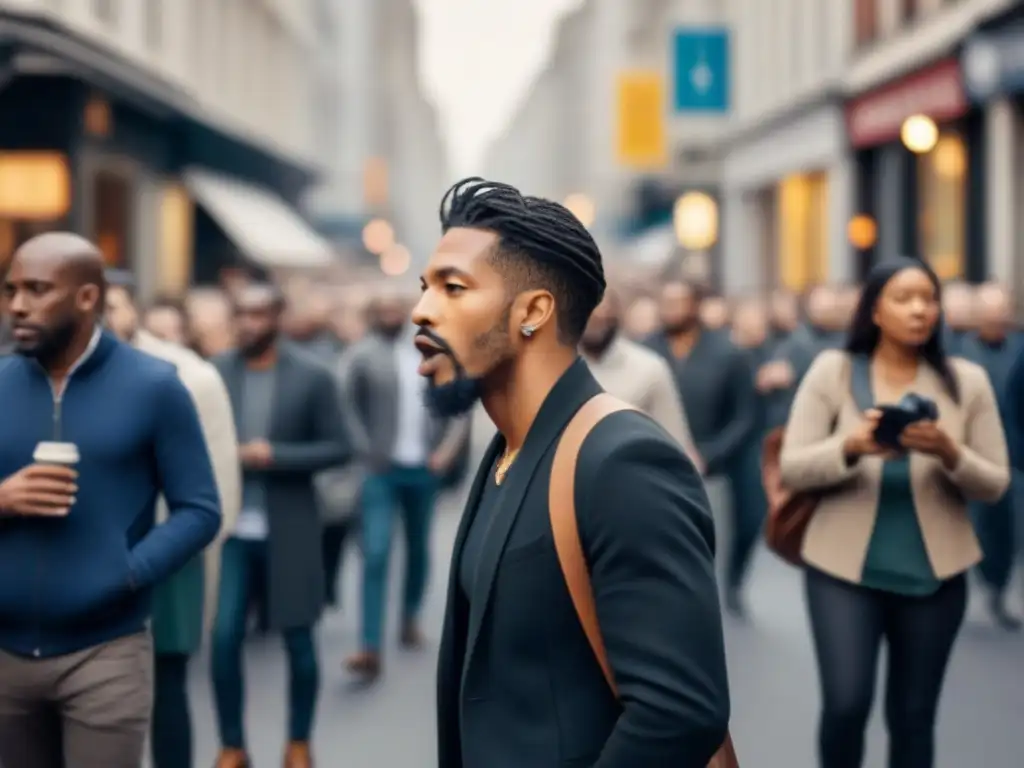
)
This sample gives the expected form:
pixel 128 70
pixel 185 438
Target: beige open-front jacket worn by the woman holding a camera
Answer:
pixel 813 459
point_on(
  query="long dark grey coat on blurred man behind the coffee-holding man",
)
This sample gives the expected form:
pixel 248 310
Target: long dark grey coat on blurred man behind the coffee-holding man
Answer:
pixel 308 436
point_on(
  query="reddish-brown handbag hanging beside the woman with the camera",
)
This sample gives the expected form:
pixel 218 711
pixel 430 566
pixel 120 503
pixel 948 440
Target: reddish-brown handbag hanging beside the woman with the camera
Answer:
pixel 789 514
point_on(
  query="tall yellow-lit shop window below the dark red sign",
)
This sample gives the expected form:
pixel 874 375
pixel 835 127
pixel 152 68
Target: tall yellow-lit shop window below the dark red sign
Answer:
pixel 943 201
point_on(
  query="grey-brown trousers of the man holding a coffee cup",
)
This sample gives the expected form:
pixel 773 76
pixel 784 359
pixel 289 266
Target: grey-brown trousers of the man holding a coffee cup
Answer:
pixel 86 710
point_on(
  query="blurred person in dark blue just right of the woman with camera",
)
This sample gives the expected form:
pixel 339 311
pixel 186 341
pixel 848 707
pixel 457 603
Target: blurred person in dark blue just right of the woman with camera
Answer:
pixel 996 348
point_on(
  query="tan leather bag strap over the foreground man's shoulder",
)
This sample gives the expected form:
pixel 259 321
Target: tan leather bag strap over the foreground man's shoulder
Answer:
pixel 562 507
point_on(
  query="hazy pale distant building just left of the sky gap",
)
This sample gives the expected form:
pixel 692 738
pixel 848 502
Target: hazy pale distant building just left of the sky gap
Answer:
pixel 380 139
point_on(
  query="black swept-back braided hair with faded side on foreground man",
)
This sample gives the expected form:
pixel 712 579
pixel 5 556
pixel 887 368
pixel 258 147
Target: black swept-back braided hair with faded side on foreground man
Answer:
pixel 541 246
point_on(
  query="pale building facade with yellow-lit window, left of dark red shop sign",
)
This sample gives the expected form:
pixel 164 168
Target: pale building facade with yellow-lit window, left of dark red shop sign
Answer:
pixel 787 177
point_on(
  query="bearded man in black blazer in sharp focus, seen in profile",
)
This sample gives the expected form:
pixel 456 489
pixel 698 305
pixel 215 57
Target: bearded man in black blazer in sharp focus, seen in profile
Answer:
pixel 506 297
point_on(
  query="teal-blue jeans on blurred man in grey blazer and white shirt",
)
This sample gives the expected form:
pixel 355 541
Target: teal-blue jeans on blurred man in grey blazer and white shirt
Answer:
pixel 411 491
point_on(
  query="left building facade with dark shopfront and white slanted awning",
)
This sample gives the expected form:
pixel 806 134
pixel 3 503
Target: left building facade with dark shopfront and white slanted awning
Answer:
pixel 176 135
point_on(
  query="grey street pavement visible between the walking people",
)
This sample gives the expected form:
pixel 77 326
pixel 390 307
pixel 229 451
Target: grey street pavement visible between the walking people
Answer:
pixel 772 670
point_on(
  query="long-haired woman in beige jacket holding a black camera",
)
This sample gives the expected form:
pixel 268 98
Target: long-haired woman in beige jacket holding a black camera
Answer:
pixel 889 544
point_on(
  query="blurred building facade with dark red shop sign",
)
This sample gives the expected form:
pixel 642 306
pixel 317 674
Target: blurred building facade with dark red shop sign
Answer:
pixel 925 170
